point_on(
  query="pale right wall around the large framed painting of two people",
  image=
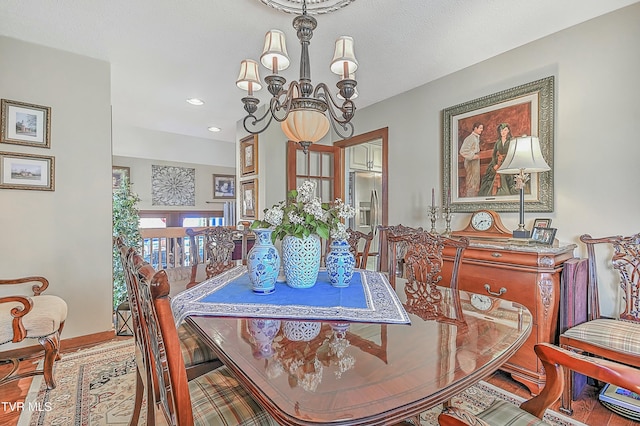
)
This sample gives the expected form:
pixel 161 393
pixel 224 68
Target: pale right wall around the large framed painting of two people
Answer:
pixel 596 153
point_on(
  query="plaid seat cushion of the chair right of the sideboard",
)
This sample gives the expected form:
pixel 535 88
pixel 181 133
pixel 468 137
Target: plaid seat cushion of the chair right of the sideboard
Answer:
pixel 623 336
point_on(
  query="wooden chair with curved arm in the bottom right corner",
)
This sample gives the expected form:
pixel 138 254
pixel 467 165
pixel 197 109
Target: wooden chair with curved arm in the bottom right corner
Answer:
pixel 556 361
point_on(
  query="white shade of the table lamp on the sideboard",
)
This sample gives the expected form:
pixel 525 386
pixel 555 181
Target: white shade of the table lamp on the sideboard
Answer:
pixel 524 155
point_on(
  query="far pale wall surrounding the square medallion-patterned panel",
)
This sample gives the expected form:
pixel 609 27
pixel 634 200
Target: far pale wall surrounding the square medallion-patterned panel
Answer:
pixel 140 170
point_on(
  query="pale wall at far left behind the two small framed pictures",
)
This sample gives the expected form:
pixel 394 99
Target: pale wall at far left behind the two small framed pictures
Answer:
pixel 63 235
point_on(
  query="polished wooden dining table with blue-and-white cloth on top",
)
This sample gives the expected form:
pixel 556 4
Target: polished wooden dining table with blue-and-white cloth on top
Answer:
pixel 306 366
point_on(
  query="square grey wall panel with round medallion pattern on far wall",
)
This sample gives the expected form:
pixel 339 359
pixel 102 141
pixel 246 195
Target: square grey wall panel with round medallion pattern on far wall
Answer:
pixel 173 186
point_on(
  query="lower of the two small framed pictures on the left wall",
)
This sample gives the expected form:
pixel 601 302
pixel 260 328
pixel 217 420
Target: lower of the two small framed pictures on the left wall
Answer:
pixel 27 171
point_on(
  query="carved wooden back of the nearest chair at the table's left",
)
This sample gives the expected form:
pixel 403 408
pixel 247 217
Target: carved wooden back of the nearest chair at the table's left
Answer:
pixel 159 344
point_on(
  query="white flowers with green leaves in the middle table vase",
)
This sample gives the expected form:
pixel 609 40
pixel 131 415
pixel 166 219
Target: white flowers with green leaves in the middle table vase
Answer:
pixel 303 214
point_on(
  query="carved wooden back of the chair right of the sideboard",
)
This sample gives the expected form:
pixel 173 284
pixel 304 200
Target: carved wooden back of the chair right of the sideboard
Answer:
pixel 626 261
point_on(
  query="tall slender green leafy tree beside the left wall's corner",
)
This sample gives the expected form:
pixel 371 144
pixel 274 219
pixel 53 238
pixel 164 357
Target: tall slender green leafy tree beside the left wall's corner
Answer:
pixel 125 224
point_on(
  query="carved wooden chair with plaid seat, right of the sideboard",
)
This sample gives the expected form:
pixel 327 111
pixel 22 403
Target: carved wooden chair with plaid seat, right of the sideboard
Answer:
pixel 614 339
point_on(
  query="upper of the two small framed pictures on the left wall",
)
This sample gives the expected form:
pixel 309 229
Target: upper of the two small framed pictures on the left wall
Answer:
pixel 25 124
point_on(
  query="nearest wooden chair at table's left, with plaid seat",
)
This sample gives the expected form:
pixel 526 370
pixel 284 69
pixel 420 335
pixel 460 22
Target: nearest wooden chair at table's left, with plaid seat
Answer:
pixel 215 398
